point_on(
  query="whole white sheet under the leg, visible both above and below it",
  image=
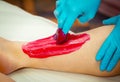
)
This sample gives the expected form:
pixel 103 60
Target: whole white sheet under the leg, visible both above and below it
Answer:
pixel 14 22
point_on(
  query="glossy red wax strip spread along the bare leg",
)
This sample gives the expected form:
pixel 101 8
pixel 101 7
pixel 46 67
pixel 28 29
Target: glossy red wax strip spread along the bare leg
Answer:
pixel 47 47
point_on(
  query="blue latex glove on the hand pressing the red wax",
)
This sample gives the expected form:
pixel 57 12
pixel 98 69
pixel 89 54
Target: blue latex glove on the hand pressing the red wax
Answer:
pixel 67 11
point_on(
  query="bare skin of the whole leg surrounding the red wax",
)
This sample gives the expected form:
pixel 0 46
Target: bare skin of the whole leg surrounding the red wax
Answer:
pixel 80 61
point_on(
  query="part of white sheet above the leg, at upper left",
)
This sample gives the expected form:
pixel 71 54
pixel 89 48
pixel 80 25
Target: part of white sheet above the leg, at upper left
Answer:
pixel 14 22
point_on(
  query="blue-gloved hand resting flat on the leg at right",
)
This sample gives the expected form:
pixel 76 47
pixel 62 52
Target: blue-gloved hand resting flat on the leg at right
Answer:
pixel 109 53
